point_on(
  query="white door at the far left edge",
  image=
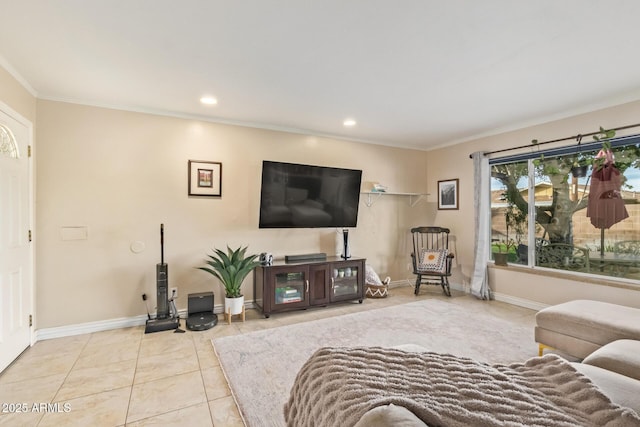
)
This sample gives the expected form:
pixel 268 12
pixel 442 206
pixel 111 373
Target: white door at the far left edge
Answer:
pixel 15 247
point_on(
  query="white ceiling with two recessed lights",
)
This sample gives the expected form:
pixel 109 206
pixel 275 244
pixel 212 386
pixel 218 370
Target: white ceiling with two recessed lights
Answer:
pixel 412 73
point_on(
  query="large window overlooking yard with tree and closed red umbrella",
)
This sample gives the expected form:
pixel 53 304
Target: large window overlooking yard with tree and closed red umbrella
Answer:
pixel 547 212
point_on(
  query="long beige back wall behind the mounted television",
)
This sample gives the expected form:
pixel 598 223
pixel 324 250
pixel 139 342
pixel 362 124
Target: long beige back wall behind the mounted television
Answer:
pixel 121 174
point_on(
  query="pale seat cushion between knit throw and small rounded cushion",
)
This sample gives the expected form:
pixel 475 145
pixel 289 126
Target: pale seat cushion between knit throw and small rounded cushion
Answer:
pixel 622 390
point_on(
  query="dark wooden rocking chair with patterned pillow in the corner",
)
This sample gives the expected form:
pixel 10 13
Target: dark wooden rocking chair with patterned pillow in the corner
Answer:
pixel 431 257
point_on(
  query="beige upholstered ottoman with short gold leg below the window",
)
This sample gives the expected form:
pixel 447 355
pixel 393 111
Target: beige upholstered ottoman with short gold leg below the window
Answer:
pixel 578 328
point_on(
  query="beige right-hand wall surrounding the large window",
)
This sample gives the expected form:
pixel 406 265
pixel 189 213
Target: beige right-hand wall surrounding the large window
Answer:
pixel 454 162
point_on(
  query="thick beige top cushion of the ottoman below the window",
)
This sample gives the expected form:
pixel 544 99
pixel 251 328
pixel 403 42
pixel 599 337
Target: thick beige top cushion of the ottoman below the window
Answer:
pixel 593 321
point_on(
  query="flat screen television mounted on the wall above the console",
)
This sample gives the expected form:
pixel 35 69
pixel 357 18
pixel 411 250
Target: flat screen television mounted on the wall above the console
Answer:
pixel 305 196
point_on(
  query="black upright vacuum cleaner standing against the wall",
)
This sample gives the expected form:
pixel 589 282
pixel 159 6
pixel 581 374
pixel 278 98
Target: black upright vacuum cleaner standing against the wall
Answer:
pixel 164 320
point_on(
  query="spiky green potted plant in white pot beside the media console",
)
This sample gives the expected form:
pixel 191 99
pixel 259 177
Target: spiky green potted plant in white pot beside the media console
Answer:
pixel 231 269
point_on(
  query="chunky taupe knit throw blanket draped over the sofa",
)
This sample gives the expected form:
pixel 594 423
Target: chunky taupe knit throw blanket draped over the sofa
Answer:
pixel 336 386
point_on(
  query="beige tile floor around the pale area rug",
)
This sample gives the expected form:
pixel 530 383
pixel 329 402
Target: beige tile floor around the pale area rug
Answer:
pixel 125 377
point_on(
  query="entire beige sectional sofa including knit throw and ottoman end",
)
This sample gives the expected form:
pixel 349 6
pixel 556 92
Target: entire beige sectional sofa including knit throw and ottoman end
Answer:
pixel 409 386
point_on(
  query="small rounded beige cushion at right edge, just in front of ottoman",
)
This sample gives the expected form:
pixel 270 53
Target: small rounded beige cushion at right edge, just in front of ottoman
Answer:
pixel 621 356
